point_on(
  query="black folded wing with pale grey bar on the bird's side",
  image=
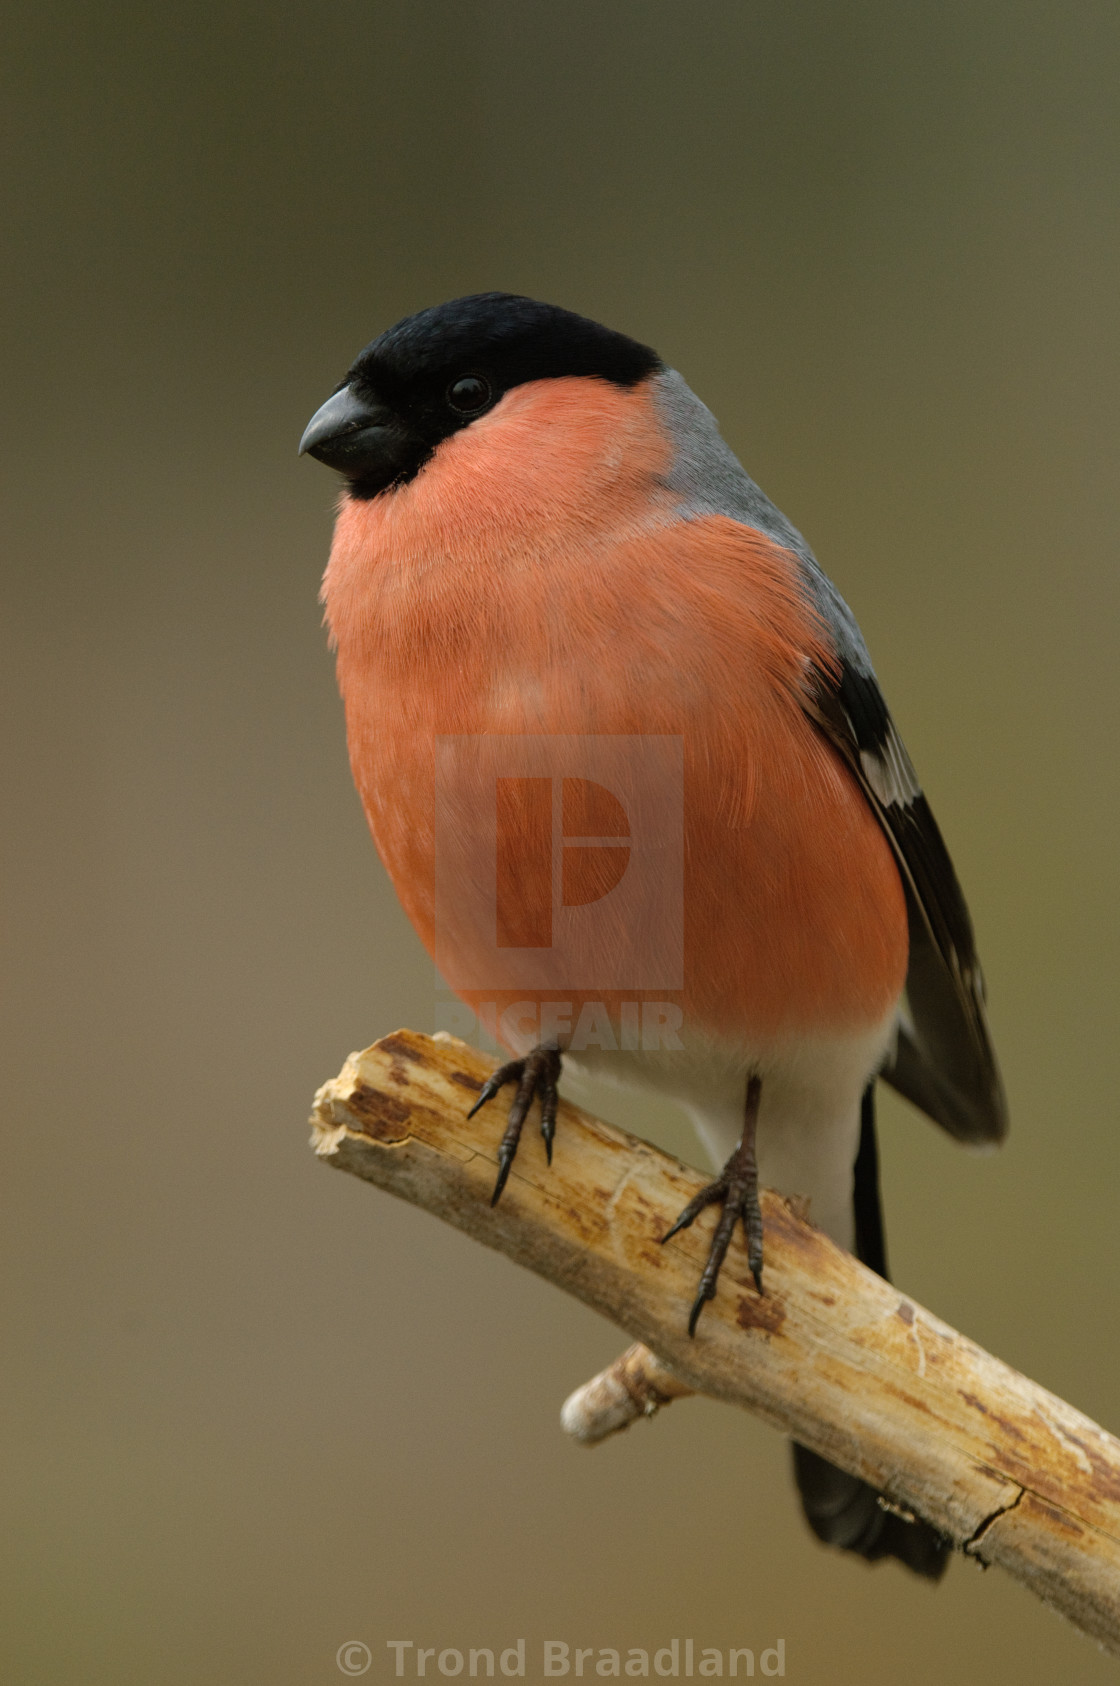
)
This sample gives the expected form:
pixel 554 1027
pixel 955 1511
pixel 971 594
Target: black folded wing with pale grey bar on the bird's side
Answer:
pixel 944 1063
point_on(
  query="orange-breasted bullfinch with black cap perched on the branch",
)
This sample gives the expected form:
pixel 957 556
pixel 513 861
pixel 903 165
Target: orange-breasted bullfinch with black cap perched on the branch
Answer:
pixel 625 756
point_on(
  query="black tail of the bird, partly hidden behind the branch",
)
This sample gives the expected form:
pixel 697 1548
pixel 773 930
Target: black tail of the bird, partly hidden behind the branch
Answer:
pixel 841 1508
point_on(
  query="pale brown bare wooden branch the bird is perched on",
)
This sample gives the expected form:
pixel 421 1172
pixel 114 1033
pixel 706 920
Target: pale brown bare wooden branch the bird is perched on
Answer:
pixel 831 1353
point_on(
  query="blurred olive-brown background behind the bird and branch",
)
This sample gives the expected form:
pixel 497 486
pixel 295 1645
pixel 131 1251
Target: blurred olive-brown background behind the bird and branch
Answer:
pixel 256 1410
